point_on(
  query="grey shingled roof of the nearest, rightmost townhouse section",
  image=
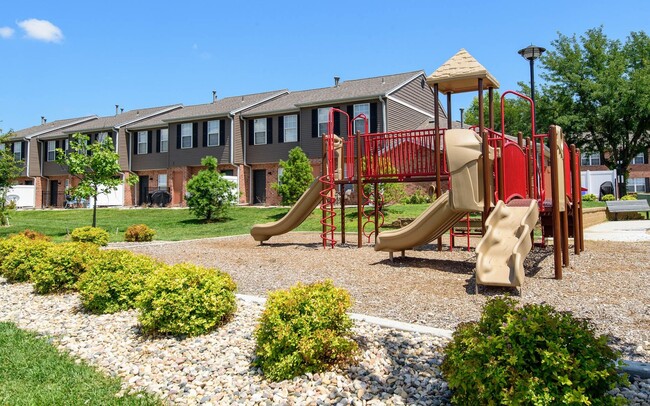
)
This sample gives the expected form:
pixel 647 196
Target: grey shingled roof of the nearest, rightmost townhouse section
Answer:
pixel 346 91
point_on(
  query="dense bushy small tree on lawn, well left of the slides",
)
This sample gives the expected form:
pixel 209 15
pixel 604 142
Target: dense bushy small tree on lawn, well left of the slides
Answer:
pixel 209 194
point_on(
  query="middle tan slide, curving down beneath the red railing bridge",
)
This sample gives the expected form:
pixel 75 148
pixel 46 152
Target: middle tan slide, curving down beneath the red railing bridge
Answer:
pixel 434 222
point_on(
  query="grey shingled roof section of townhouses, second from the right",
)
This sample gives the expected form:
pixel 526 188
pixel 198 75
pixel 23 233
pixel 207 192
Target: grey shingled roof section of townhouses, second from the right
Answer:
pixel 220 107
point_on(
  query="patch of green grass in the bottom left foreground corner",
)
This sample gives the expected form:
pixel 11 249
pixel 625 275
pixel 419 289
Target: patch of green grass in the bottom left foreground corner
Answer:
pixel 33 372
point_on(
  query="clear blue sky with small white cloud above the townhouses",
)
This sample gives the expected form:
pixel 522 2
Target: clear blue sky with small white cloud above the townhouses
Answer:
pixel 63 59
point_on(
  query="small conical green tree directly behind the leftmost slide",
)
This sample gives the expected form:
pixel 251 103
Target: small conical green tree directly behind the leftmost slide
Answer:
pixel 296 177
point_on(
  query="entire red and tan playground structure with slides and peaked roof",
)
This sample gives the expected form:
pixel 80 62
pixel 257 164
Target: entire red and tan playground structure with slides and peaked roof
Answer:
pixel 511 182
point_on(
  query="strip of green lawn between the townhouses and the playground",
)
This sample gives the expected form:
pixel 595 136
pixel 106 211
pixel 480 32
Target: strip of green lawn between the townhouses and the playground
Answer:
pixel 174 224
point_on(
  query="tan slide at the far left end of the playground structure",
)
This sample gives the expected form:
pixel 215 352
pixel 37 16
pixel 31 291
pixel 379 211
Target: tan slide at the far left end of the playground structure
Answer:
pixel 298 213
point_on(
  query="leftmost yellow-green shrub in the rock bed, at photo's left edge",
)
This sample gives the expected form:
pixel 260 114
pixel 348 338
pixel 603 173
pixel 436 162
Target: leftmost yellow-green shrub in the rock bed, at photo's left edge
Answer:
pixel 19 263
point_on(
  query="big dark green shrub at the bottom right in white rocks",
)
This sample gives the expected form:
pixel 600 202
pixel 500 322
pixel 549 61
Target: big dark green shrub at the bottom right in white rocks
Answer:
pixel 529 355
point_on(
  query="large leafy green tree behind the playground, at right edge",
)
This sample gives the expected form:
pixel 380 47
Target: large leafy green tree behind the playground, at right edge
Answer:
pixel 599 91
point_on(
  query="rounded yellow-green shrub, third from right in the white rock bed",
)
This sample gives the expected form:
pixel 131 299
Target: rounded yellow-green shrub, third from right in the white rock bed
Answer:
pixel 186 299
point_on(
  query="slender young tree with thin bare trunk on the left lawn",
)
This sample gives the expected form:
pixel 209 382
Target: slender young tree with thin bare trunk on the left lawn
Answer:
pixel 96 166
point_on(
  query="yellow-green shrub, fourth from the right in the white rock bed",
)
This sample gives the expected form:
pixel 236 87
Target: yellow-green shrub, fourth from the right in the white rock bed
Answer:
pixel 113 280
